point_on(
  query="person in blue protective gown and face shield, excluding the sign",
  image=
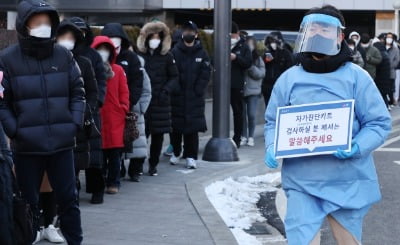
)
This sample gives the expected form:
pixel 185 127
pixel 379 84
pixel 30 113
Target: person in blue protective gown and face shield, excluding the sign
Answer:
pixel 340 187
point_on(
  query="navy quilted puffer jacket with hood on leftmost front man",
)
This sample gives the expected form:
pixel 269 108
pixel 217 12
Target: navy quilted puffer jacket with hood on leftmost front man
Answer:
pixel 44 102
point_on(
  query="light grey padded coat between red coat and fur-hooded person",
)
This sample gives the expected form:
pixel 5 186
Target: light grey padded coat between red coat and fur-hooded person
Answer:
pixel 139 146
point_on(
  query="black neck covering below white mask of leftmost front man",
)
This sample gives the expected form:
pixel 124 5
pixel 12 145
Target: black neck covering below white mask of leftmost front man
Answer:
pixel 39 48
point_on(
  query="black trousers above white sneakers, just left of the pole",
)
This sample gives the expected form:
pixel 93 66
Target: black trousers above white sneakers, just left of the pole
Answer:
pixel 191 144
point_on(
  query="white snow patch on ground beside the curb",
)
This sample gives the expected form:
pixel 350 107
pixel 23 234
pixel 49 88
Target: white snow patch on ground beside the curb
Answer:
pixel 235 200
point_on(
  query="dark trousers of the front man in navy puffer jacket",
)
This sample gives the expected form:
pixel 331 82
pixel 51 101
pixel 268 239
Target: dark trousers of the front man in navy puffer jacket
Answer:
pixel 61 173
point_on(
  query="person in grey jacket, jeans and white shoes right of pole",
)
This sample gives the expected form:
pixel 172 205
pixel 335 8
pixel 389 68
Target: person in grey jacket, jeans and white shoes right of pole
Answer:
pixel 252 92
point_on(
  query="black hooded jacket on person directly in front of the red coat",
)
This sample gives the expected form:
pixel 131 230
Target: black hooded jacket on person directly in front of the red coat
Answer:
pixel 85 50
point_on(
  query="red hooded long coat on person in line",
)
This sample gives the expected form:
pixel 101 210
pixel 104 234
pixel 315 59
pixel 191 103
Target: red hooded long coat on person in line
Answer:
pixel 116 103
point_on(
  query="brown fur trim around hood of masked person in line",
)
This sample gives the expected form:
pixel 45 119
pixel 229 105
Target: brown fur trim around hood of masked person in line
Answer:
pixel 152 28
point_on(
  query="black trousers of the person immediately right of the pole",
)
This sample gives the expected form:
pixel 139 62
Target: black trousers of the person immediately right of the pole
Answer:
pixel 237 108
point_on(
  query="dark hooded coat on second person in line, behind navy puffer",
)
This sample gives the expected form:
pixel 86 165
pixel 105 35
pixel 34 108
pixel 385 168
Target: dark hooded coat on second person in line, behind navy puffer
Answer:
pixel 81 151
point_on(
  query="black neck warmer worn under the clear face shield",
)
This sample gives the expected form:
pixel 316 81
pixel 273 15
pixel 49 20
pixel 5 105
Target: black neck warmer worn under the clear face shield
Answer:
pixel 327 65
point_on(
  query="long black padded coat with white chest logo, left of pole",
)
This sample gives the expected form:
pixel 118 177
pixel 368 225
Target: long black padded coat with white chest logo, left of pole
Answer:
pixel 188 103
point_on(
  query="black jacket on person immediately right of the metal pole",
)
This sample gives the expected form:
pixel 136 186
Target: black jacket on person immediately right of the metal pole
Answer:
pixel 243 61
